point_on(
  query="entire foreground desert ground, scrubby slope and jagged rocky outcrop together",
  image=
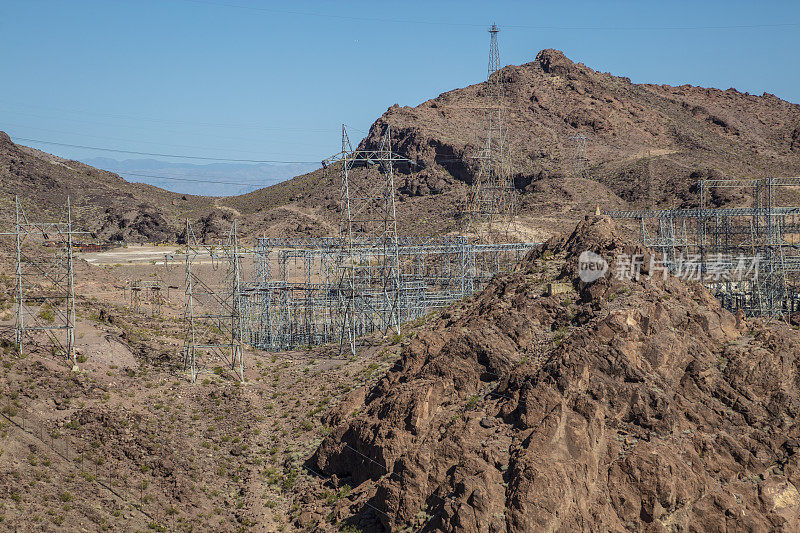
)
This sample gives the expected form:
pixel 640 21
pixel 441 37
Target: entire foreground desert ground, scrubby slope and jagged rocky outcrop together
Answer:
pixel 616 405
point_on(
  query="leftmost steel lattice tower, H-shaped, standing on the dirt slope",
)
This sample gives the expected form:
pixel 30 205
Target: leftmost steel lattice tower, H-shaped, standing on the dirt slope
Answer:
pixel 45 280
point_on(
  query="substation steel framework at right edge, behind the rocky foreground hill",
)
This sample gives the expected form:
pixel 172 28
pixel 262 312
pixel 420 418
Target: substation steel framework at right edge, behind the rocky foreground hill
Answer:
pixel 764 236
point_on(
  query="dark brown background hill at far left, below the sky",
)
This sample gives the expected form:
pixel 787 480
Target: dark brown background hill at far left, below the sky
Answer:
pixel 102 202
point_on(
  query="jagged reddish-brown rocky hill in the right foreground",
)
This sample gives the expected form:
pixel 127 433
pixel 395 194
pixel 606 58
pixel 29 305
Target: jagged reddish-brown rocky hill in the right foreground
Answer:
pixel 619 405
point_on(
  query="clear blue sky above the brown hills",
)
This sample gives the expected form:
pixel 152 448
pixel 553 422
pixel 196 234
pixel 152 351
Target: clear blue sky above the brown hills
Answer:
pixel 275 80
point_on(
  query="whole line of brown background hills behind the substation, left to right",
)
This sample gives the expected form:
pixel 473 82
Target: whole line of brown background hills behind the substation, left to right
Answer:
pixel 648 145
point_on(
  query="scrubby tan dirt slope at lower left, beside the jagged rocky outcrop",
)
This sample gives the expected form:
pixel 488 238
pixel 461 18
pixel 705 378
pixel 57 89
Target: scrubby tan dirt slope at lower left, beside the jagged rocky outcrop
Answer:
pixel 127 443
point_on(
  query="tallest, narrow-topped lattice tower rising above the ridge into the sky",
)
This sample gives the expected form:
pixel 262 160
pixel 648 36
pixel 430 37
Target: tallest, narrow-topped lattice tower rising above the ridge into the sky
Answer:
pixel 492 199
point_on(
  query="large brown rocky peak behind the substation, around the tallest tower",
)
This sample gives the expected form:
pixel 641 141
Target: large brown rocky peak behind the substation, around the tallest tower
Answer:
pixel 648 145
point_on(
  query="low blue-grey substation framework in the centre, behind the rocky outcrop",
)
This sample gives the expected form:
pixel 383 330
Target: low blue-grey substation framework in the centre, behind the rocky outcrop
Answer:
pixel 294 300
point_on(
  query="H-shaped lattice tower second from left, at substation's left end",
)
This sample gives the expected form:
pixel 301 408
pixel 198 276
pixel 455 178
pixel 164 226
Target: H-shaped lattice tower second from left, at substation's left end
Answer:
pixel 212 308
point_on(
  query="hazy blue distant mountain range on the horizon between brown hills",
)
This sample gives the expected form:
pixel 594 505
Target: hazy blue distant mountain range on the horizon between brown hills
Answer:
pixel 215 179
